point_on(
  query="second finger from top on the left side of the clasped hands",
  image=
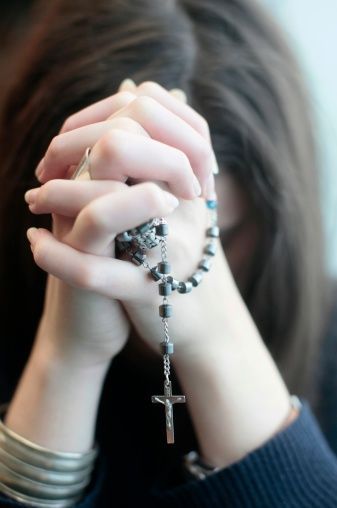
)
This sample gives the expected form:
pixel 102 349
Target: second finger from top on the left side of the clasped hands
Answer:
pixel 67 149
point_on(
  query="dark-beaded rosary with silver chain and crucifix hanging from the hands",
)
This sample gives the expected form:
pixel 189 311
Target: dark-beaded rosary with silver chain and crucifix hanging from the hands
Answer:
pixel 135 243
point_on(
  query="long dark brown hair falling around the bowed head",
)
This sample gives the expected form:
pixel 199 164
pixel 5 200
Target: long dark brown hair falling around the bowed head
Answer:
pixel 233 64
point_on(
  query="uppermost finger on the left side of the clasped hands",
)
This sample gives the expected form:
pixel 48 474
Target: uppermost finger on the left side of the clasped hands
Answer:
pixel 98 112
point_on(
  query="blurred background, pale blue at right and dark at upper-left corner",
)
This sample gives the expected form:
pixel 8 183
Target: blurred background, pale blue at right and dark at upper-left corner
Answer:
pixel 311 29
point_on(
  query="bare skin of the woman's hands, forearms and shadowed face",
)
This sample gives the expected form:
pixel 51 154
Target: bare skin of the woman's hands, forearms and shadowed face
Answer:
pixel 236 397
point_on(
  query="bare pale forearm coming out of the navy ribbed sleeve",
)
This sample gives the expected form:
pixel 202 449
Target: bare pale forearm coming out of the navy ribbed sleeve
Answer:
pixel 236 396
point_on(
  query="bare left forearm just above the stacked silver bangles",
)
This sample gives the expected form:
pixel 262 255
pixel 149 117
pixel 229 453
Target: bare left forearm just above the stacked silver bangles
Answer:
pixel 56 401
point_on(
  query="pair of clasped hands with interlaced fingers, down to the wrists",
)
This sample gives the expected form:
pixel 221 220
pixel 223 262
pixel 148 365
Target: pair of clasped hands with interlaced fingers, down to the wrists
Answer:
pixel 148 137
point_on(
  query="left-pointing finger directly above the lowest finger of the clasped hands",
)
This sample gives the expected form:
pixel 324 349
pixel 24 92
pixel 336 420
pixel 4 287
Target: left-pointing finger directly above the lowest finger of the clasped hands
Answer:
pixel 67 197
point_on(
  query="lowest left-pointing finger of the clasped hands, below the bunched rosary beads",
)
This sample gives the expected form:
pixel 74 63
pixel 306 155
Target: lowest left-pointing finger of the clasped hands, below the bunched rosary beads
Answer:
pixel 109 277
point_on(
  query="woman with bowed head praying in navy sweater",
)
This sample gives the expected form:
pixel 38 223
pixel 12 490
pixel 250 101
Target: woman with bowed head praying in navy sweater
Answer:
pixel 250 336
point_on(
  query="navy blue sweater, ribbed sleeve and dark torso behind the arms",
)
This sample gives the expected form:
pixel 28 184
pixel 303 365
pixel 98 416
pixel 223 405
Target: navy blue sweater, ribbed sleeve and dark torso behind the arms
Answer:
pixel 296 468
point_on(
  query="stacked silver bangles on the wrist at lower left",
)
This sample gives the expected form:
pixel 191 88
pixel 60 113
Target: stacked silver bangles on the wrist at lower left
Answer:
pixel 37 476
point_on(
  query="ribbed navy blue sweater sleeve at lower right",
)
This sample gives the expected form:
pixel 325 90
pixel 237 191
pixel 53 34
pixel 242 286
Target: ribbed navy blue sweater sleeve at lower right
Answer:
pixel 296 468
